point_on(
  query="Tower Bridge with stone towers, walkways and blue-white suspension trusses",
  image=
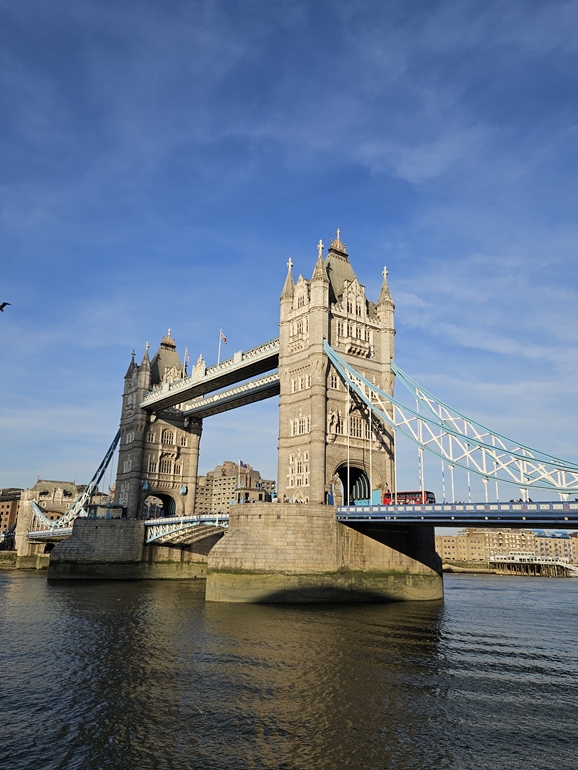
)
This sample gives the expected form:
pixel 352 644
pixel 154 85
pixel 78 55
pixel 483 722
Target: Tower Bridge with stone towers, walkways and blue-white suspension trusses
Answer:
pixel 333 368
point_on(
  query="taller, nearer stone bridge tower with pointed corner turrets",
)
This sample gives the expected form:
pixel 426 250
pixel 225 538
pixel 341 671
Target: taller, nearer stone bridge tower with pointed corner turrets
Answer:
pixel 327 450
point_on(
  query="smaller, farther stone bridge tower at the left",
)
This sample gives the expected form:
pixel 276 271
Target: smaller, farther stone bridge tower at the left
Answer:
pixel 159 452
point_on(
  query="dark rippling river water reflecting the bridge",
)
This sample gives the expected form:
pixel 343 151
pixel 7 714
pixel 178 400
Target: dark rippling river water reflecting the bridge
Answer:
pixel 147 675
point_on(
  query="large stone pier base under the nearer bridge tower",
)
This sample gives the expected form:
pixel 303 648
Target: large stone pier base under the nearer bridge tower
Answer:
pixel 291 553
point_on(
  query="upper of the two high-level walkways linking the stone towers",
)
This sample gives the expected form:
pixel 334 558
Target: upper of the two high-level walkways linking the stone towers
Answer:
pixel 242 366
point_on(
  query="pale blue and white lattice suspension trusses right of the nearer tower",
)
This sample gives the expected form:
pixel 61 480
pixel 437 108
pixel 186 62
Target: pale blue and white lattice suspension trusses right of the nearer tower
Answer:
pixel 461 442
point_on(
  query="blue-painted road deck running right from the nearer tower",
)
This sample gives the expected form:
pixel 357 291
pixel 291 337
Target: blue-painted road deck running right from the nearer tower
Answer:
pixel 556 515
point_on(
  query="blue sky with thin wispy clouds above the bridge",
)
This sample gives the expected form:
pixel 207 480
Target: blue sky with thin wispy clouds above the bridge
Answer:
pixel 161 160
